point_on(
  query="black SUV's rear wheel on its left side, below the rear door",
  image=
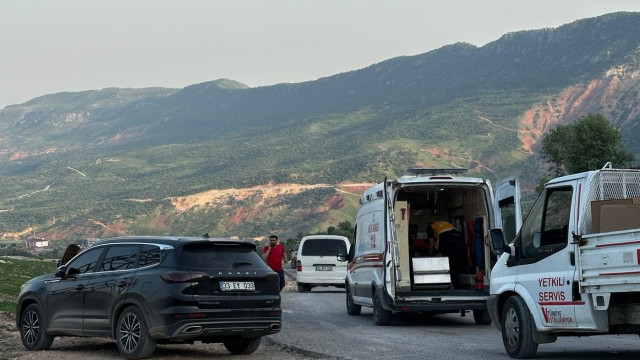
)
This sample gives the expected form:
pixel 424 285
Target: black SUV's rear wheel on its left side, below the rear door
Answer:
pixel 132 335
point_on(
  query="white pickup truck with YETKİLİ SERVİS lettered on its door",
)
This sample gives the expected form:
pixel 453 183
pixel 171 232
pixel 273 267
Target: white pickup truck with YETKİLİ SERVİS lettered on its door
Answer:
pixel 573 269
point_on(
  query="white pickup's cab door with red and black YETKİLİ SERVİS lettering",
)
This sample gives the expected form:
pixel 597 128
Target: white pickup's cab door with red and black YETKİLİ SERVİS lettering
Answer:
pixel 543 260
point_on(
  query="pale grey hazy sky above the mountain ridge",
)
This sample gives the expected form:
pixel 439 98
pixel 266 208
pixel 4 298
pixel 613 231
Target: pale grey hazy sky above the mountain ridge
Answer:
pixel 50 46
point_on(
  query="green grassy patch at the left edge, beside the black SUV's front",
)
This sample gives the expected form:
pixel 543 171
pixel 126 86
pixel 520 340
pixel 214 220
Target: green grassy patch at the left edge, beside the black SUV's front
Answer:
pixel 14 273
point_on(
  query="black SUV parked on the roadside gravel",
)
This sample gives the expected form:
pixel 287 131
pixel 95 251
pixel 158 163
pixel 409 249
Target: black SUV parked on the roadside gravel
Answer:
pixel 142 291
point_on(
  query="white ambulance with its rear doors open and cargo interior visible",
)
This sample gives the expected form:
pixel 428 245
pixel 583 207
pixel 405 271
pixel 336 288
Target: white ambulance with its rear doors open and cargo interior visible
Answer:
pixel 390 268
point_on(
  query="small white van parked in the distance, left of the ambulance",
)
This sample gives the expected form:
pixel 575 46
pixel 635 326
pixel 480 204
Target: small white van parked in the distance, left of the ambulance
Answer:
pixel 317 265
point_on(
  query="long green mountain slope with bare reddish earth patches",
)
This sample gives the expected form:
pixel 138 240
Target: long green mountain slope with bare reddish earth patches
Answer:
pixel 223 158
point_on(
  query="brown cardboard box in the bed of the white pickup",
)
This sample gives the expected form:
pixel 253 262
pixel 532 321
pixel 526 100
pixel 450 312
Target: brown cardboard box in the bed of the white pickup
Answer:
pixel 616 214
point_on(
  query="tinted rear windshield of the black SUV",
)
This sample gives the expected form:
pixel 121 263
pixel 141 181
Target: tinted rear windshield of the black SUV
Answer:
pixel 211 256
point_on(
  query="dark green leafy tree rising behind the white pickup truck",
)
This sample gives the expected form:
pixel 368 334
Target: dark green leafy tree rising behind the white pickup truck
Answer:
pixel 587 144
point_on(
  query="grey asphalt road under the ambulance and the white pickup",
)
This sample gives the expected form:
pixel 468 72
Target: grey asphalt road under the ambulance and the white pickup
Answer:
pixel 316 324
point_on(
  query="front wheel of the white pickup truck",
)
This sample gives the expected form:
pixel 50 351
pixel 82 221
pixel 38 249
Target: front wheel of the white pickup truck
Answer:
pixel 517 329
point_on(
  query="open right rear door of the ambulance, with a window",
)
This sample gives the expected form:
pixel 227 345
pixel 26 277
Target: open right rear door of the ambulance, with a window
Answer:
pixel 507 208
